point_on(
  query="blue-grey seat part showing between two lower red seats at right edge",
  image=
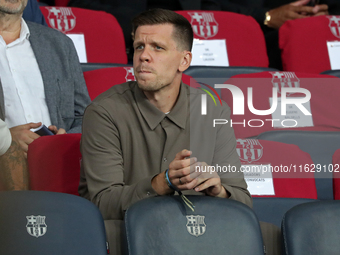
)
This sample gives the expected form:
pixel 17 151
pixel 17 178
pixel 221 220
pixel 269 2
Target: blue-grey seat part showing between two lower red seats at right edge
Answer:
pixel 321 147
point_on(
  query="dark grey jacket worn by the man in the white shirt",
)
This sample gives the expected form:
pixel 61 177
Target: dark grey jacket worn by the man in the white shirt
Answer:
pixel 65 89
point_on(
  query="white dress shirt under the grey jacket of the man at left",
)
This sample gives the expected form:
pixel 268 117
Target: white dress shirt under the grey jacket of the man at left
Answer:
pixel 22 82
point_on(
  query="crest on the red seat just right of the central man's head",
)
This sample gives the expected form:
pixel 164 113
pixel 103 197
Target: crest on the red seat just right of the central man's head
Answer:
pixel 203 24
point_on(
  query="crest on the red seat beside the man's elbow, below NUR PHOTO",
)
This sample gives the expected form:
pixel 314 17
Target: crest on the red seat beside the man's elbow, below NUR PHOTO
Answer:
pixel 249 150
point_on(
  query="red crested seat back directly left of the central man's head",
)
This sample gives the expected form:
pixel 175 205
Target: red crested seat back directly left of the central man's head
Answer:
pixel 104 40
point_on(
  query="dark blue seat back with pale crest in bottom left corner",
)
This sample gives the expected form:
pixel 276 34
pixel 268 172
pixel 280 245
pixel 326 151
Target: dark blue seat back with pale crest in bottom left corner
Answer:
pixel 40 223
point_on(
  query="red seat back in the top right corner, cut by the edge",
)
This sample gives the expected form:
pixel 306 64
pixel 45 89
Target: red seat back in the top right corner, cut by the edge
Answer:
pixel 303 43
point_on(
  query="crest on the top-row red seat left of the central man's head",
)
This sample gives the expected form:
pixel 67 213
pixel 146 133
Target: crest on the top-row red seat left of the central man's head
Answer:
pixel 61 18
